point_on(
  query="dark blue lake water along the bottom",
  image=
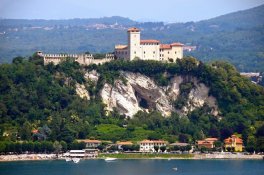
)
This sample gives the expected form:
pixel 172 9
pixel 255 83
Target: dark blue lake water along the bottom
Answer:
pixel 134 167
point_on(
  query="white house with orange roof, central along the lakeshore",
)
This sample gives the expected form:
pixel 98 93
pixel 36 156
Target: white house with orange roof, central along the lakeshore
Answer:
pixel 148 145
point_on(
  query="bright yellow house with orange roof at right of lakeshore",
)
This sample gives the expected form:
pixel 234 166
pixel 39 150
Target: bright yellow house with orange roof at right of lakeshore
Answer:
pixel 234 143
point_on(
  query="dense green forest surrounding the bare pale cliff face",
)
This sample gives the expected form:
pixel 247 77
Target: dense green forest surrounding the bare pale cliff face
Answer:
pixel 43 98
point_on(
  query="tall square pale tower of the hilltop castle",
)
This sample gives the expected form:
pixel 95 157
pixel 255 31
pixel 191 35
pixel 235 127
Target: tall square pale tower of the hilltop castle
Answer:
pixel 134 43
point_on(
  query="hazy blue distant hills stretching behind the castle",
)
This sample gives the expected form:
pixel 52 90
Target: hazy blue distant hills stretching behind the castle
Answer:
pixel 236 37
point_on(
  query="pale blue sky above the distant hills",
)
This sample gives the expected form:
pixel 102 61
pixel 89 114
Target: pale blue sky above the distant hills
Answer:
pixel 143 10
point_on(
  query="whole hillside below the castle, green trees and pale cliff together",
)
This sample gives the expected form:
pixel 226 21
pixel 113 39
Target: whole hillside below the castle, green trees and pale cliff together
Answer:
pixel 67 101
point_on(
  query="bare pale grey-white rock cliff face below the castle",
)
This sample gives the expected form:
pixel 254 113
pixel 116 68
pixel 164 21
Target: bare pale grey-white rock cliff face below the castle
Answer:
pixel 137 92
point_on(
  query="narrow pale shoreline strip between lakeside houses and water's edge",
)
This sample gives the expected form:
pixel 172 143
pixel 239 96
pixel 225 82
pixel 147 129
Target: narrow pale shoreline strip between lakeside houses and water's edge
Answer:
pixel 39 157
